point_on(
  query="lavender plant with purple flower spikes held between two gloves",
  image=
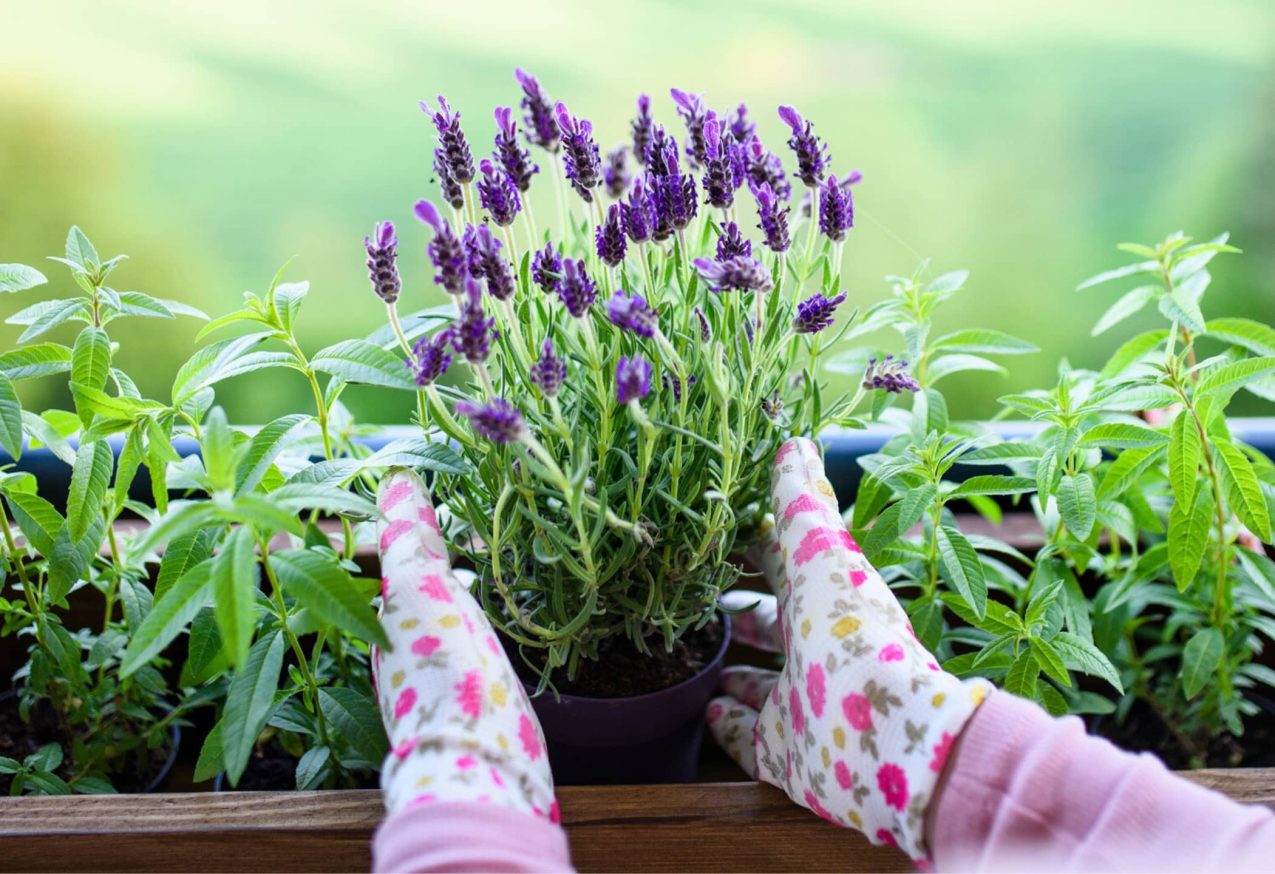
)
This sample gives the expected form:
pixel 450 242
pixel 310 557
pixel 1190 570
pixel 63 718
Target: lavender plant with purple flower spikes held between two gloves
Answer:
pixel 629 374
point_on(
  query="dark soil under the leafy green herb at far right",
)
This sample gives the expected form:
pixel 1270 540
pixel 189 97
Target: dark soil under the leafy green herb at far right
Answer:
pixel 1144 732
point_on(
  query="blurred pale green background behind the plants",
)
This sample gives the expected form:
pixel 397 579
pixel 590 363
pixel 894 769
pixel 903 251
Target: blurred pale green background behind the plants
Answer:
pixel 214 142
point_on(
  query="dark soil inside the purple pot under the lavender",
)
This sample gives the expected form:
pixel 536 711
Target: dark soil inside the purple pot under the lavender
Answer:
pixel 622 670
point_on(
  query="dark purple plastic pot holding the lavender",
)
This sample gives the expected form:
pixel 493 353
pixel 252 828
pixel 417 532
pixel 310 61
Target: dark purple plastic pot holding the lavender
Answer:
pixel 643 739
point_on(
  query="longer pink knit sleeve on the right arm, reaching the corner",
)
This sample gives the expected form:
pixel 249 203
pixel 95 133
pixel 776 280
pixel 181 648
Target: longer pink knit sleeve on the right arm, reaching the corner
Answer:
pixel 1031 793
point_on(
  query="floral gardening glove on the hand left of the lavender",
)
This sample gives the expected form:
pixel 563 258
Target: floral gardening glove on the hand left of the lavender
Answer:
pixel 460 723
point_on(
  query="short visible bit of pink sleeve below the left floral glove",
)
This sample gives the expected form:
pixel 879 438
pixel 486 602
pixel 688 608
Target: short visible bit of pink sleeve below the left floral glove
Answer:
pixel 466 836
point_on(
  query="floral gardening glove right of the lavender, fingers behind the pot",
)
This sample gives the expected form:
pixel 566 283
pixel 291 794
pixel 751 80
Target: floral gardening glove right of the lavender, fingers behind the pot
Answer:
pixel 859 724
